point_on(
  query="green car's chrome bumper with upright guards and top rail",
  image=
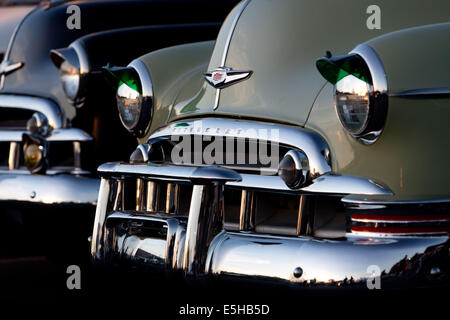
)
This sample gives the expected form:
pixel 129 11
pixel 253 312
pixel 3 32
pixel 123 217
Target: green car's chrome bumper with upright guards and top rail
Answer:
pixel 198 246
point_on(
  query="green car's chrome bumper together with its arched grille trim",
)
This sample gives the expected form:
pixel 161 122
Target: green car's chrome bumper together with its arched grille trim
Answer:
pixel 197 242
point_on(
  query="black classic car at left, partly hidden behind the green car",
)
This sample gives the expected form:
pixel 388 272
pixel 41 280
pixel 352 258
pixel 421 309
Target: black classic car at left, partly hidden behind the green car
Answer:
pixel 56 122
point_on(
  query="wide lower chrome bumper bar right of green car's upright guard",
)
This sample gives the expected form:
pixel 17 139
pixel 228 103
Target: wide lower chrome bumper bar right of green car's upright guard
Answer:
pixel 324 262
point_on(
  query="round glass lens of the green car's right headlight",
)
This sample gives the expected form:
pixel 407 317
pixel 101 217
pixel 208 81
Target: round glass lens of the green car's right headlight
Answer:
pixel 352 99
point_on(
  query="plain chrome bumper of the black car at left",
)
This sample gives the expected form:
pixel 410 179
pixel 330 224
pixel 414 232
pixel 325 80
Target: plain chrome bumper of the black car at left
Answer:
pixel 49 189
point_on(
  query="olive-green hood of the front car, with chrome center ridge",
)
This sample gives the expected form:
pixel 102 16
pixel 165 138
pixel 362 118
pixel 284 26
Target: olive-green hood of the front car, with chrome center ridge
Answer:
pixel 280 41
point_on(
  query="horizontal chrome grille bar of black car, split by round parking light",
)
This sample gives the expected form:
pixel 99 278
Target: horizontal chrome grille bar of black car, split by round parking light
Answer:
pixel 69 134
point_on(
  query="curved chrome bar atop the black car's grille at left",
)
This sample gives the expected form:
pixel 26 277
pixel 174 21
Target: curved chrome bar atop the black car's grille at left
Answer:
pixel 47 107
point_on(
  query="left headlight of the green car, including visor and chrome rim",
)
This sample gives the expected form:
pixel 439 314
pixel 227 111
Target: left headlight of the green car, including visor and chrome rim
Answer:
pixel 134 96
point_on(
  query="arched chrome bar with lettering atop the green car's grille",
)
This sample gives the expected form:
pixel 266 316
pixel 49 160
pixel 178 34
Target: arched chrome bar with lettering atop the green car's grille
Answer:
pixel 312 144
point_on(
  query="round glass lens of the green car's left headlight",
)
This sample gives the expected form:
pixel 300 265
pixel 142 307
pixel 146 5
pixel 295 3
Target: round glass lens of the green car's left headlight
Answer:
pixel 129 103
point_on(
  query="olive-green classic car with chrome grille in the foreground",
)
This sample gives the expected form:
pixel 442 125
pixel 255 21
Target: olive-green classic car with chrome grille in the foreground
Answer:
pixel 306 146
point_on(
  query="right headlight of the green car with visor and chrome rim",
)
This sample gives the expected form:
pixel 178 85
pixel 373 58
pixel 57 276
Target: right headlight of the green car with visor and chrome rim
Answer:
pixel 360 95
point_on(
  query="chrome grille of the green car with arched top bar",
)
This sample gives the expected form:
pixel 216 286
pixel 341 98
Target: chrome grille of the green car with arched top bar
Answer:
pixel 200 204
